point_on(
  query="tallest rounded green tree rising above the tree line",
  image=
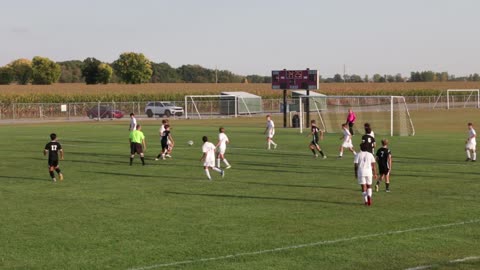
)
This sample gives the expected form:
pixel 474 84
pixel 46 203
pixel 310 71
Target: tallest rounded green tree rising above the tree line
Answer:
pixel 133 68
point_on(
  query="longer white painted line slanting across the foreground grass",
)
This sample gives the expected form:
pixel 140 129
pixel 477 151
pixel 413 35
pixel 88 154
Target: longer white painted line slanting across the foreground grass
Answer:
pixel 326 242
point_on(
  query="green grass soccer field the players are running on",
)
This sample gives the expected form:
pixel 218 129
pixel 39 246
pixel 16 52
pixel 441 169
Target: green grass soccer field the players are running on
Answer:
pixel 278 209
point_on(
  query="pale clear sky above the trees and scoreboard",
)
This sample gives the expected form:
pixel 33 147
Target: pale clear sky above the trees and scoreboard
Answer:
pixel 252 36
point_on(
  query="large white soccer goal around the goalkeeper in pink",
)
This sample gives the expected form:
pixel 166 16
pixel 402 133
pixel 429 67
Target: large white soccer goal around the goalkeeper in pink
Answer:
pixel 388 115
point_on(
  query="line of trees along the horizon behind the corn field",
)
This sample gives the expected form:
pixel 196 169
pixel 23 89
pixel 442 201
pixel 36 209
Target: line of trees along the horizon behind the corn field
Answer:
pixel 135 68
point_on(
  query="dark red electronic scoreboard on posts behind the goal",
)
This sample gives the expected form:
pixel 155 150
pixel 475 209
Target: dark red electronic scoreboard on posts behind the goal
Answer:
pixel 295 79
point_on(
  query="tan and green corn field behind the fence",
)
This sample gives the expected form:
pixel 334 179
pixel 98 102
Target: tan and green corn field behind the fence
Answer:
pixel 63 93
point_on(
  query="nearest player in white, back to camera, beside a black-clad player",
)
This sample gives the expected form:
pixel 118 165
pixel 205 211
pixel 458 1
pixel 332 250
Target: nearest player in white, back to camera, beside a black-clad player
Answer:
pixel 365 169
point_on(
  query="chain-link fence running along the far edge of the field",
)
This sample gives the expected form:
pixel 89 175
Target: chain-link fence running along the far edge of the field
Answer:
pixel 109 110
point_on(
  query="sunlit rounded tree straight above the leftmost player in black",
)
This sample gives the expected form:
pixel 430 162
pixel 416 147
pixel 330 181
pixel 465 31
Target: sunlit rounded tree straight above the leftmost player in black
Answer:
pixel 45 71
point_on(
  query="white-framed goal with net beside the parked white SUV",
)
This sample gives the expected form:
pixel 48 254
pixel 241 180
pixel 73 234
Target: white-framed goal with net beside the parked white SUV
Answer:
pixel 213 106
